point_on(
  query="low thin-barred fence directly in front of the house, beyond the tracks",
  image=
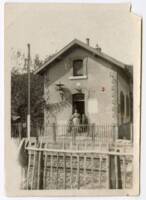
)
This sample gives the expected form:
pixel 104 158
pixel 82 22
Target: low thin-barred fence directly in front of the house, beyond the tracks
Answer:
pixel 104 133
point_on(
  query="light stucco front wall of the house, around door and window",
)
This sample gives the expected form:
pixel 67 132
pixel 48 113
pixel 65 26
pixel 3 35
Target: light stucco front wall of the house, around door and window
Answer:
pixel 100 89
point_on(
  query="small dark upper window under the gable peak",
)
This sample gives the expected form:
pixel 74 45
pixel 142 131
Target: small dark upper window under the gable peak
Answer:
pixel 78 67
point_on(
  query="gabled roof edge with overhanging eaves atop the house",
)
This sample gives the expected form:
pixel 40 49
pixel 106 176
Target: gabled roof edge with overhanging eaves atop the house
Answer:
pixel 85 46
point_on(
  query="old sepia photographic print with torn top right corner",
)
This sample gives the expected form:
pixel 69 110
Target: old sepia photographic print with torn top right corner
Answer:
pixel 73 95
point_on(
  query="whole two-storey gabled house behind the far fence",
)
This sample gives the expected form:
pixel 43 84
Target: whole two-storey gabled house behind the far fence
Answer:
pixel 82 78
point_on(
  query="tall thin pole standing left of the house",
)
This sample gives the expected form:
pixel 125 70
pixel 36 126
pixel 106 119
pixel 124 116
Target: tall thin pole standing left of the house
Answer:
pixel 28 111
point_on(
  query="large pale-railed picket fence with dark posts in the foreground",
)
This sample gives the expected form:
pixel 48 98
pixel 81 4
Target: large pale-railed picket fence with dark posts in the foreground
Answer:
pixel 90 168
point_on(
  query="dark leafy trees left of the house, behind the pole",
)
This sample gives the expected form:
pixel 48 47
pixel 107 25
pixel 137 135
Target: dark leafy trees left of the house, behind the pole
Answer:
pixel 19 94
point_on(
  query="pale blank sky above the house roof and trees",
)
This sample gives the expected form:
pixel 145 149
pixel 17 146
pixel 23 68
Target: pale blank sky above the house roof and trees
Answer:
pixel 49 27
